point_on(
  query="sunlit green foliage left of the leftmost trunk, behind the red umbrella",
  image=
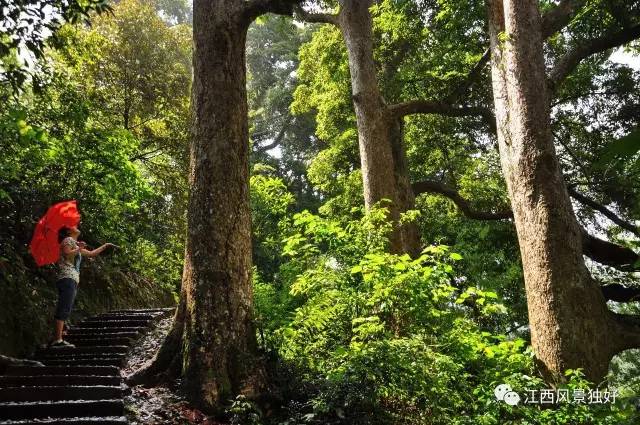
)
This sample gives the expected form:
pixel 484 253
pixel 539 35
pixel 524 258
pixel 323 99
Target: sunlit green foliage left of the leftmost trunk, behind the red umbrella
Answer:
pixel 68 141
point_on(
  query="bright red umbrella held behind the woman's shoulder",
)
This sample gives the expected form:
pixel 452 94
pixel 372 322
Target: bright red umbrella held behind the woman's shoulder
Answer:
pixel 44 245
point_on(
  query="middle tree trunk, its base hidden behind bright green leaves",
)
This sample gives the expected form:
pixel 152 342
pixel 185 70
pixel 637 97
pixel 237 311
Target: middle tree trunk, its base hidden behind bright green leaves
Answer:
pixel 380 165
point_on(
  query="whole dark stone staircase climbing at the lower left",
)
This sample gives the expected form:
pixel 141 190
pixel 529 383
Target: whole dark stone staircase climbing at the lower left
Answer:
pixel 80 385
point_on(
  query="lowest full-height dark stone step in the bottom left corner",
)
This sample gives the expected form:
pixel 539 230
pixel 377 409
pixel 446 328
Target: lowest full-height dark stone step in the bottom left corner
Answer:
pixel 61 409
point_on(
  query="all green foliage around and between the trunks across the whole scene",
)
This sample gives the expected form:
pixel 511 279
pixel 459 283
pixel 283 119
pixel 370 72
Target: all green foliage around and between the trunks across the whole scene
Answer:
pixel 362 336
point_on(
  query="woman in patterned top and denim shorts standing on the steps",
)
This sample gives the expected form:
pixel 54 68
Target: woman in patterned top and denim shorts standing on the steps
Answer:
pixel 68 277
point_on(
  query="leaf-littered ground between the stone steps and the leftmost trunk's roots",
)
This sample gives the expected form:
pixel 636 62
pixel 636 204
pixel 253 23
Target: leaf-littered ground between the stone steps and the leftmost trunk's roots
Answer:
pixel 162 404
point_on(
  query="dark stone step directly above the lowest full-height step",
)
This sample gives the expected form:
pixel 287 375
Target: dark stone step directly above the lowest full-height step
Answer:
pixel 60 393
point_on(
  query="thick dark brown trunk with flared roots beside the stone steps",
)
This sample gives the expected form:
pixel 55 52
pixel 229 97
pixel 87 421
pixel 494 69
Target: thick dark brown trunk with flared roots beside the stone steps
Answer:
pixel 212 345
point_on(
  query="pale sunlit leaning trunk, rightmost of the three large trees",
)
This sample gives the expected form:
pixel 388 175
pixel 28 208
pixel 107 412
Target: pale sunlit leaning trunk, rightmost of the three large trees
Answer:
pixel 571 326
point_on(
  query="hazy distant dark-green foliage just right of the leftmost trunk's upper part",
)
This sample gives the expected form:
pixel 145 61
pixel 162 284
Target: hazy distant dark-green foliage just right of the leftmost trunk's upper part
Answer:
pixel 279 138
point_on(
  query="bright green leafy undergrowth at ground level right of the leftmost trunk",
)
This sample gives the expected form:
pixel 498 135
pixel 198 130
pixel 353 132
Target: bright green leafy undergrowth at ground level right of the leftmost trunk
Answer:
pixel 361 336
